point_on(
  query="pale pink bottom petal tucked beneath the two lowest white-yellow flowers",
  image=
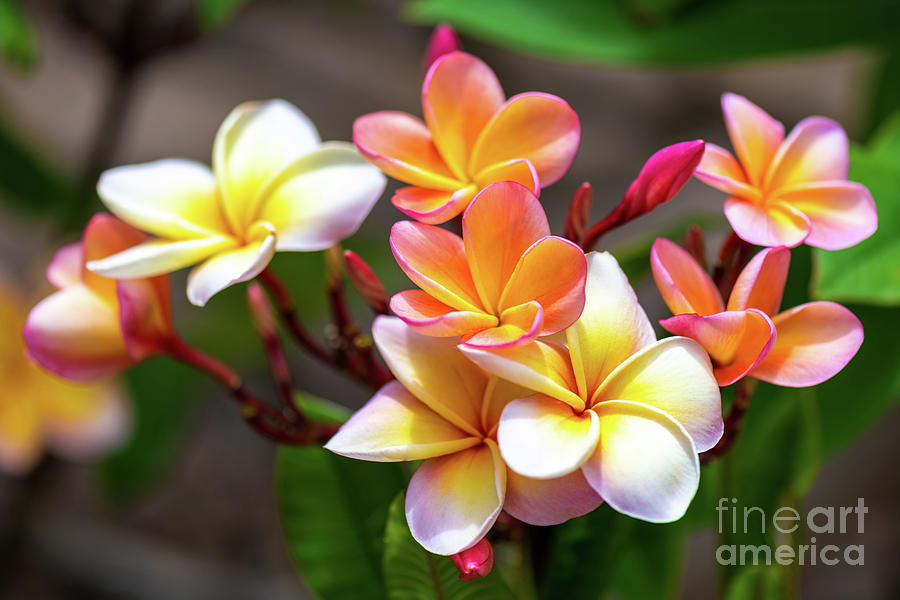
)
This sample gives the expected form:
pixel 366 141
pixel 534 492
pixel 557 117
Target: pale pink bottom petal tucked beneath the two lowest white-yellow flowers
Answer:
pixel 549 501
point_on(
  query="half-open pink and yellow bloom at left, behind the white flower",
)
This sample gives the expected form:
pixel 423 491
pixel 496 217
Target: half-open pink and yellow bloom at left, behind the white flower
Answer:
pixel 93 326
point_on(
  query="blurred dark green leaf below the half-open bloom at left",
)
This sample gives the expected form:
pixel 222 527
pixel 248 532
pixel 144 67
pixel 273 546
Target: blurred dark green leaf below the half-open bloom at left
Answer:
pixel 163 403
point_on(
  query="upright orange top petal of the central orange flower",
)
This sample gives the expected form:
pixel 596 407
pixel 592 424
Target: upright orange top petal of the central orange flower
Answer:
pixel 501 223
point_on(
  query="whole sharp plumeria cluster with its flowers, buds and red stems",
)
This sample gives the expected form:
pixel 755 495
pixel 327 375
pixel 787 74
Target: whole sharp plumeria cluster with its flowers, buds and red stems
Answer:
pixel 524 374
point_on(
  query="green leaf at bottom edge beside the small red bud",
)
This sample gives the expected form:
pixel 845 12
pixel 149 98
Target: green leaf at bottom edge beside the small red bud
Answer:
pixel 413 573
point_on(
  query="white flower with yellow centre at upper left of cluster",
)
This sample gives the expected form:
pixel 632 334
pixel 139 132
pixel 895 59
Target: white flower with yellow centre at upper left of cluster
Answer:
pixel 273 186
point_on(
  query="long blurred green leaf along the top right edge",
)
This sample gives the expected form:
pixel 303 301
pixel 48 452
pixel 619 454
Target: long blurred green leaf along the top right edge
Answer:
pixel 692 33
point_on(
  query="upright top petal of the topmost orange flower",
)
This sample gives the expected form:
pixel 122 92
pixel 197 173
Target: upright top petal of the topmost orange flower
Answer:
pixel 459 96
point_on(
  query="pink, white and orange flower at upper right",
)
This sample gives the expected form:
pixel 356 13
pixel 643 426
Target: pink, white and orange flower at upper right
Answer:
pixel 787 191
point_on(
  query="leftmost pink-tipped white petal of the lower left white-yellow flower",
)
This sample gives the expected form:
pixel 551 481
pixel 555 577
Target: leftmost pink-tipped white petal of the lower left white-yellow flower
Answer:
pixel 393 426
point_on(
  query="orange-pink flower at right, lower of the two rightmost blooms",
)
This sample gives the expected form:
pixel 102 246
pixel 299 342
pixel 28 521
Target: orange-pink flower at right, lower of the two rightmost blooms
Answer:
pixel 799 347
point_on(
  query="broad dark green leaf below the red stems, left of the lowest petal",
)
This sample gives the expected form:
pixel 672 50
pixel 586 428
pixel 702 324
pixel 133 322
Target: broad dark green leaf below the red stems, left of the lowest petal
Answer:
pixel 333 511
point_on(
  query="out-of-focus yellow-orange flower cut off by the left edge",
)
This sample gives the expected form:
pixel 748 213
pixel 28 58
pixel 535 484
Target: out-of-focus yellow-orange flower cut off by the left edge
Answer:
pixel 39 411
